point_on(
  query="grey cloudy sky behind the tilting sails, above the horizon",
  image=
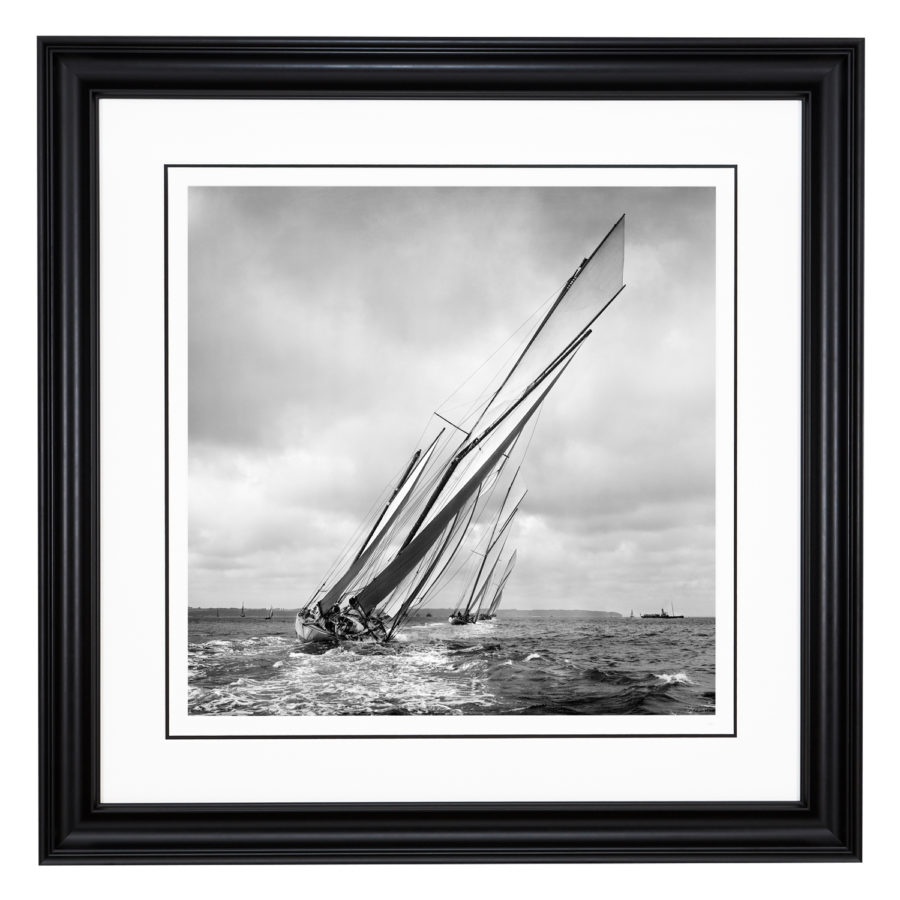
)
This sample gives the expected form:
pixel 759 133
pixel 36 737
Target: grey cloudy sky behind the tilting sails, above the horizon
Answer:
pixel 326 325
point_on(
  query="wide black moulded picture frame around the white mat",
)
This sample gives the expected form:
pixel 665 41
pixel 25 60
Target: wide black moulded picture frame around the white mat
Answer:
pixel 826 75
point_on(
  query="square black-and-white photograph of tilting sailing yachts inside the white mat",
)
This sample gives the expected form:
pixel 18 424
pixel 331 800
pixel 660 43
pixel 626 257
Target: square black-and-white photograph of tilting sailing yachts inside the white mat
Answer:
pixel 451 450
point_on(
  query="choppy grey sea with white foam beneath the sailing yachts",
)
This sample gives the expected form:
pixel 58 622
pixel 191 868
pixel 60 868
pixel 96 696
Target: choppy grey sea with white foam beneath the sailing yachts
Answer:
pixel 514 665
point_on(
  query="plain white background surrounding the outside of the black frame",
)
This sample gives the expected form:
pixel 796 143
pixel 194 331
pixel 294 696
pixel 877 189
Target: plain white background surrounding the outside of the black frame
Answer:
pixel 18 513
